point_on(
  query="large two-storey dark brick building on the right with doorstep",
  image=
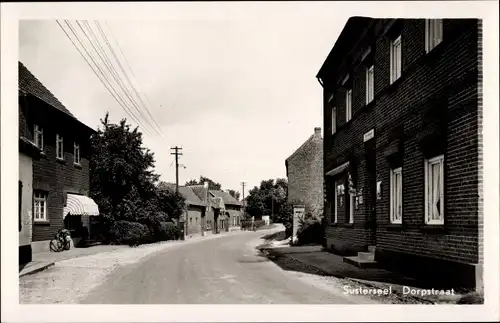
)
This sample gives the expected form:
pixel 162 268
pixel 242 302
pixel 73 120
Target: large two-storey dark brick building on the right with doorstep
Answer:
pixel 403 146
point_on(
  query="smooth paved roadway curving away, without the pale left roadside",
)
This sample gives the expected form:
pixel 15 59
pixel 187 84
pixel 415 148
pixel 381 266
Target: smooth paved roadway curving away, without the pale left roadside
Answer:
pixel 227 270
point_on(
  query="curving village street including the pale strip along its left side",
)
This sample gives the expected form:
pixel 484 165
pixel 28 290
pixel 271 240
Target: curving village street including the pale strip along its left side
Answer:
pixel 222 270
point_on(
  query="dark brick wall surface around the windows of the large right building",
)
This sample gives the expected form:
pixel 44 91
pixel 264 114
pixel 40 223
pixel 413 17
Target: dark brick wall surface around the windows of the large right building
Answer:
pixel 448 74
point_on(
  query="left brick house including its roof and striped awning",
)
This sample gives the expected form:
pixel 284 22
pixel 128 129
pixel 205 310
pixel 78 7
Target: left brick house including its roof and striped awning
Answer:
pixel 60 176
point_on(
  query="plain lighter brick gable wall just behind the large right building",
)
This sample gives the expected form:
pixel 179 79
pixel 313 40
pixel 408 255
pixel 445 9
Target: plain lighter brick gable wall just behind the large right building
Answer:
pixel 304 169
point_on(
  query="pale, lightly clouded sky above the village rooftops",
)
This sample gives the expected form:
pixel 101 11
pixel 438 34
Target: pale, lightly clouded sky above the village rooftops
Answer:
pixel 237 93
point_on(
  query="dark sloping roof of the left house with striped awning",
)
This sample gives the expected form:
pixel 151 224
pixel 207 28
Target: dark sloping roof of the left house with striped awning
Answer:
pixel 28 83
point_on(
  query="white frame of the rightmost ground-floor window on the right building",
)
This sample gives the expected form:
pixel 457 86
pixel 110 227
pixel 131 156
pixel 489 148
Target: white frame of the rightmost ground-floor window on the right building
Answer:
pixel 428 182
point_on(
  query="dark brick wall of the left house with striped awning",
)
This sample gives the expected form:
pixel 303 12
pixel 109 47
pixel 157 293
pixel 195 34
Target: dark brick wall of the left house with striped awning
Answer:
pixel 54 177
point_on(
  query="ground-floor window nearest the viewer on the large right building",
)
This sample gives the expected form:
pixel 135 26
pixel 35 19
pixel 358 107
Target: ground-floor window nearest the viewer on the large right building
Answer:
pixel 434 190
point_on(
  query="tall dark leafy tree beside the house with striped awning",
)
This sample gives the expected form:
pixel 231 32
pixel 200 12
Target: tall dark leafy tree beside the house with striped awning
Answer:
pixel 122 178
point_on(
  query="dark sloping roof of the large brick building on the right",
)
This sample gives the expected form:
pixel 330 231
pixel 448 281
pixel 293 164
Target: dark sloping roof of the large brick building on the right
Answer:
pixel 347 38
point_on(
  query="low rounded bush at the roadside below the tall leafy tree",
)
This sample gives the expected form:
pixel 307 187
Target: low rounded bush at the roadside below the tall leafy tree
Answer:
pixel 129 233
